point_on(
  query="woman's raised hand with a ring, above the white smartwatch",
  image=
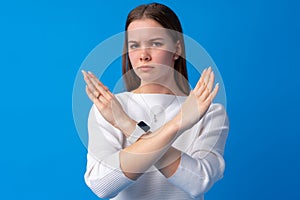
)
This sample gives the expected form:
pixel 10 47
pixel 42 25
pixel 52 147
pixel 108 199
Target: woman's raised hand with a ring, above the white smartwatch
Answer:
pixel 106 103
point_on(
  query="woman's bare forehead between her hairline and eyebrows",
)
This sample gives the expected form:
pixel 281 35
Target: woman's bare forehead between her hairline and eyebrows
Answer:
pixel 144 29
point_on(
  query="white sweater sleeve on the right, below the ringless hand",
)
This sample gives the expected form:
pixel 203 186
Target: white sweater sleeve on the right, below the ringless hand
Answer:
pixel 204 164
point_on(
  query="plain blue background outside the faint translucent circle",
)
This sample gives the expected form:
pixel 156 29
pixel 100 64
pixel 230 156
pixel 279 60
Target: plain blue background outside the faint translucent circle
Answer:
pixel 255 45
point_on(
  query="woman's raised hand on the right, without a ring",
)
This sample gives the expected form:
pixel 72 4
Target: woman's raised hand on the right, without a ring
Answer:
pixel 198 101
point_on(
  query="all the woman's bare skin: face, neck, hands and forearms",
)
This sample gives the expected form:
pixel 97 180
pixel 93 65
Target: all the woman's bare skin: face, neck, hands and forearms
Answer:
pixel 152 59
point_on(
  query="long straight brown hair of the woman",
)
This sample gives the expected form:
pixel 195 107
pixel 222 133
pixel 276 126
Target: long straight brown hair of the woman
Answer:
pixel 167 19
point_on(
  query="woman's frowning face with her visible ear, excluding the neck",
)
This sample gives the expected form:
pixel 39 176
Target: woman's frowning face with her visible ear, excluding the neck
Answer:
pixel 151 50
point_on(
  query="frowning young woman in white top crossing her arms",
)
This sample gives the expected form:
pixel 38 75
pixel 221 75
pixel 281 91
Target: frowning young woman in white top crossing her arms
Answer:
pixel 158 140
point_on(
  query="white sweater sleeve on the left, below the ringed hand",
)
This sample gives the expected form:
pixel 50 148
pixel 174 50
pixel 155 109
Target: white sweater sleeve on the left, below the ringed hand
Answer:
pixel 103 173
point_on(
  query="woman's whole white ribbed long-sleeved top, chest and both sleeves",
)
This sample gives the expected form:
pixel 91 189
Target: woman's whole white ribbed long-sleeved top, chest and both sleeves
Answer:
pixel 202 147
